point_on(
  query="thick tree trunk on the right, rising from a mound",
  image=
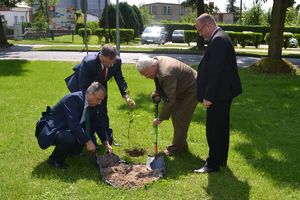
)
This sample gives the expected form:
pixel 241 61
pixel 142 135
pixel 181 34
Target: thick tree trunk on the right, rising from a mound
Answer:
pixel 277 27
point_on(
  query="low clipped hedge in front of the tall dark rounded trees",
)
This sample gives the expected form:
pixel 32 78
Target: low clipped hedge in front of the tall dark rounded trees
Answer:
pixel 126 35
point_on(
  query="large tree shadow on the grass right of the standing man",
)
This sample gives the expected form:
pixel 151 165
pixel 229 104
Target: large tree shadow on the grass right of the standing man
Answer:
pixel 268 115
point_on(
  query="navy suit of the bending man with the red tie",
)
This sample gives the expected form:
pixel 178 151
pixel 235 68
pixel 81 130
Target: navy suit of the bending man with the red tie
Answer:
pixel 90 70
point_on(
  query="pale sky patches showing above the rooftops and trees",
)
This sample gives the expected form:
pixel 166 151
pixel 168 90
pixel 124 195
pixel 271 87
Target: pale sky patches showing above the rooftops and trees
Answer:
pixel 221 4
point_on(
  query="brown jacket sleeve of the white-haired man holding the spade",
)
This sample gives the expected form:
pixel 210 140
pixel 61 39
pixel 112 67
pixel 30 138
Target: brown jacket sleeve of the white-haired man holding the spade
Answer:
pixel 168 83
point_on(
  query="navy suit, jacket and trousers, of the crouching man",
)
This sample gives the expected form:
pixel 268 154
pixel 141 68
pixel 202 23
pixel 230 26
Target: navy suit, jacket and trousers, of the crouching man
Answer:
pixel 60 126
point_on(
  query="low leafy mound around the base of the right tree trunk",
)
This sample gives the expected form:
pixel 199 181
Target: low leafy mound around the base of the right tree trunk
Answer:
pixel 268 65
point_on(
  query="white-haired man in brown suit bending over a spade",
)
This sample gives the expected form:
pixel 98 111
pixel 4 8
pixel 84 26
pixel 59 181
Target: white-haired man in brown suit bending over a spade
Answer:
pixel 176 85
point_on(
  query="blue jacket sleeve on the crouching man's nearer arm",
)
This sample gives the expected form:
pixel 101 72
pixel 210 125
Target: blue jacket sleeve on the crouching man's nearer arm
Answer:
pixel 73 116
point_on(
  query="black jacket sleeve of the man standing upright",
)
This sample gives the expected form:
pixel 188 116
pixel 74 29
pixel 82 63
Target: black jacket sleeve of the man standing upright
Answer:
pixel 215 67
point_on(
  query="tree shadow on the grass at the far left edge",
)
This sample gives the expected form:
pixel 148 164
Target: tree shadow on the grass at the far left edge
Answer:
pixel 12 67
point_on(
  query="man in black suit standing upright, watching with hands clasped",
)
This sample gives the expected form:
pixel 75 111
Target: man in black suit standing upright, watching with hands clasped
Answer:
pixel 218 82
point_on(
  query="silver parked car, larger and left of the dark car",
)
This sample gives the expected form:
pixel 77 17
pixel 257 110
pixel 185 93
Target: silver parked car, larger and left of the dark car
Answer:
pixel 154 35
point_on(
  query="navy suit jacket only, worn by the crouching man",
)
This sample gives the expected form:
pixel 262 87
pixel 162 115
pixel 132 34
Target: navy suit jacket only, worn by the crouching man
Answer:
pixel 66 115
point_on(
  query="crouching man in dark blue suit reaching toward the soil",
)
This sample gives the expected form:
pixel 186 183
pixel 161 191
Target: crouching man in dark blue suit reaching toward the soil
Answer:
pixel 69 123
